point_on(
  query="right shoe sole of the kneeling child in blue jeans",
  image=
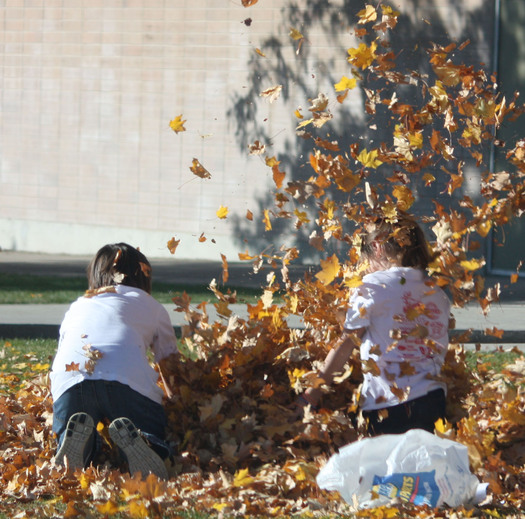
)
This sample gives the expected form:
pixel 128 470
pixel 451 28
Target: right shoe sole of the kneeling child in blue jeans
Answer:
pixel 140 457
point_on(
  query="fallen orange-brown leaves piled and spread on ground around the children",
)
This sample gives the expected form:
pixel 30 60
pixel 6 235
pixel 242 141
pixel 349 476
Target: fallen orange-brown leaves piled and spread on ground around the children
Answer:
pixel 241 449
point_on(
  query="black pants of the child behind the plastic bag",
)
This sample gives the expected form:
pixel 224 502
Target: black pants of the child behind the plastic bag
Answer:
pixel 420 413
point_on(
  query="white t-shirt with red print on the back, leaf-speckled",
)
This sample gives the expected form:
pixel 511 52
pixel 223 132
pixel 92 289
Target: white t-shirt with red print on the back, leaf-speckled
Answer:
pixel 406 337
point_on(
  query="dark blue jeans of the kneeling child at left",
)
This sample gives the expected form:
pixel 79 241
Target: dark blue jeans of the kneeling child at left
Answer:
pixel 107 400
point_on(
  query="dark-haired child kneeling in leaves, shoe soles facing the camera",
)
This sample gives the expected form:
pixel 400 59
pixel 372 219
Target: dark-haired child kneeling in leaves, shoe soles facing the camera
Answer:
pixel 101 371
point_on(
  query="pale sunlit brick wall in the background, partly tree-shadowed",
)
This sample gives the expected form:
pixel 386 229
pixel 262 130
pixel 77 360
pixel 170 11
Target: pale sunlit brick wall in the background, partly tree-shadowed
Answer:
pixel 88 88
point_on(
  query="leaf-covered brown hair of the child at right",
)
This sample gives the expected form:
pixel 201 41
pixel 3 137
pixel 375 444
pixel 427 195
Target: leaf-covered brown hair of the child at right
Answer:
pixel 402 239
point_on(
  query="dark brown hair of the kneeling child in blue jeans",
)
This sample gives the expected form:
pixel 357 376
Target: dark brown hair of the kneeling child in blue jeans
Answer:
pixel 119 264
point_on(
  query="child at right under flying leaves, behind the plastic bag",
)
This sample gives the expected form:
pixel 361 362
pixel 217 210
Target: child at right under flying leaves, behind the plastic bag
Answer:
pixel 399 320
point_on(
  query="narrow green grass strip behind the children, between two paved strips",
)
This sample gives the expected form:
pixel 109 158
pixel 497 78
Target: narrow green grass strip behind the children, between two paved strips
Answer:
pixel 34 289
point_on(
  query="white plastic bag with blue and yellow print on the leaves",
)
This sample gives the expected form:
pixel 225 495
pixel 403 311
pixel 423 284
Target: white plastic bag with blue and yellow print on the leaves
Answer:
pixel 416 467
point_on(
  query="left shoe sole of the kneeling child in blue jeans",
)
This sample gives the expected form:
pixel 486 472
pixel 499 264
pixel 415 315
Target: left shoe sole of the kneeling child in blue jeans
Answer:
pixel 79 430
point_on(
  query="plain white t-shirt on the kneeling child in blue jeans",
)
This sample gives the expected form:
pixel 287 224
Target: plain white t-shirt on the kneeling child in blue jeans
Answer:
pixel 118 327
